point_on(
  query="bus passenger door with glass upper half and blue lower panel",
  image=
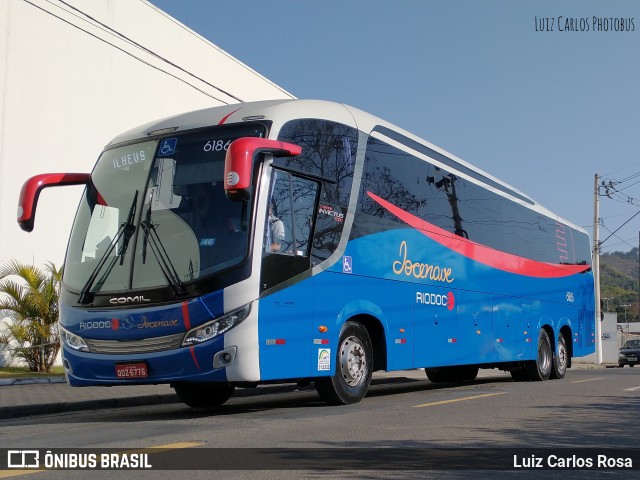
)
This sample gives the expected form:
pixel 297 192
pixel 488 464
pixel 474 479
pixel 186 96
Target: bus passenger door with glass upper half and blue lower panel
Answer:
pixel 285 317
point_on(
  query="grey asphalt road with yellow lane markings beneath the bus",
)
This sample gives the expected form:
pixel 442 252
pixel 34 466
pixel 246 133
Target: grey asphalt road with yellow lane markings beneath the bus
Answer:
pixel 591 411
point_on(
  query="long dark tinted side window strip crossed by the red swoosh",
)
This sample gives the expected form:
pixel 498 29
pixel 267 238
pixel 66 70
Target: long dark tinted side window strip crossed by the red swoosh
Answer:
pixel 458 206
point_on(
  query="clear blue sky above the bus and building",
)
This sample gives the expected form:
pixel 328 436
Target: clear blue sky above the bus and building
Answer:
pixel 542 94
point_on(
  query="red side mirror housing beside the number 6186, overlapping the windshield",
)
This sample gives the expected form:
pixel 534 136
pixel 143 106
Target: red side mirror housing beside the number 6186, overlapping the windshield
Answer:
pixel 239 161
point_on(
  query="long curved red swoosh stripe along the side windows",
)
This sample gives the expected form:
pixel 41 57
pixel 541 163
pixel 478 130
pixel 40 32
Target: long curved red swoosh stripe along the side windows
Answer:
pixel 488 256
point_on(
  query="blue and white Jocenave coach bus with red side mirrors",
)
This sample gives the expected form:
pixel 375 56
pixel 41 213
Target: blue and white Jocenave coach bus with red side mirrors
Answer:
pixel 300 240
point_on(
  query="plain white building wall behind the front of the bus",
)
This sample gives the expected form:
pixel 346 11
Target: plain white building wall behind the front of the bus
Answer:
pixel 73 74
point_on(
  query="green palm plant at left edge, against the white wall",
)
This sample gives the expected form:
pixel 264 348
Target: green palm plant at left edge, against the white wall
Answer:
pixel 29 297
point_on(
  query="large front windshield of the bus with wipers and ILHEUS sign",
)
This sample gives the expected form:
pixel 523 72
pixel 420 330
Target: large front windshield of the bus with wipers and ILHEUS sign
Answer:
pixel 156 215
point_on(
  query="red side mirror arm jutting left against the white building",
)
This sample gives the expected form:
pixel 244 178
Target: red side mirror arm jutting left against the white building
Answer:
pixel 31 191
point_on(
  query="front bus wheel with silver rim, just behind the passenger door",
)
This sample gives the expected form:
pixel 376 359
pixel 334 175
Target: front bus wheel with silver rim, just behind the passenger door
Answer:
pixel 353 368
